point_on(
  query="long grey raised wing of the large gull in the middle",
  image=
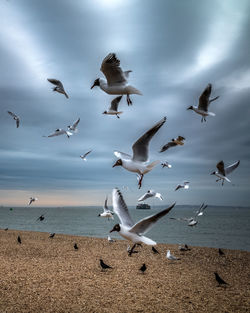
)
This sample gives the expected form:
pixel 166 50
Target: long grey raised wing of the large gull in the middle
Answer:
pixel 140 147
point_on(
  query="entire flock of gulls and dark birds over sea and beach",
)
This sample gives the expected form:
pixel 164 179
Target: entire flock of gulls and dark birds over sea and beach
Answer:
pixel 116 83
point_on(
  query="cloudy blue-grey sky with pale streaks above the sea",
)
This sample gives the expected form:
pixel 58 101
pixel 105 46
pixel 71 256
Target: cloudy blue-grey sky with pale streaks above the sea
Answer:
pixel 174 48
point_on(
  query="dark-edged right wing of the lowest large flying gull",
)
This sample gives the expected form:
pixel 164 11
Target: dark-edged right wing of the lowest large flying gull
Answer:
pixel 145 224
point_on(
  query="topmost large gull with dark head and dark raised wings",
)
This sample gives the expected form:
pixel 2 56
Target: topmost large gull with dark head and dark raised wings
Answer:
pixel 116 82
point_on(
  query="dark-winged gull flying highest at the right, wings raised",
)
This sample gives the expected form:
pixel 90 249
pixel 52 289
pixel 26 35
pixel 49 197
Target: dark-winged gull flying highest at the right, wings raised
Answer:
pixel 204 102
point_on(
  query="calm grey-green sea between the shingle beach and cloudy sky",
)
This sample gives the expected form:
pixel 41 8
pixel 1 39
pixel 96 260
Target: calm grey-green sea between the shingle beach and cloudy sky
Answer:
pixel 223 227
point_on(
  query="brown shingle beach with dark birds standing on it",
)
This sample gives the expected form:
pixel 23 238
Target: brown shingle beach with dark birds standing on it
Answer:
pixel 49 275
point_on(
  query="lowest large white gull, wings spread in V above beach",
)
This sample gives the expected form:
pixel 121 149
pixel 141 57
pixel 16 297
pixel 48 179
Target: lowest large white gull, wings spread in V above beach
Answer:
pixel 130 230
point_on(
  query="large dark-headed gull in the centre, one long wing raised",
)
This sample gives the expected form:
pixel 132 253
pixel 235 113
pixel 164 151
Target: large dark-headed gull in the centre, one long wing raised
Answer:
pixel 138 163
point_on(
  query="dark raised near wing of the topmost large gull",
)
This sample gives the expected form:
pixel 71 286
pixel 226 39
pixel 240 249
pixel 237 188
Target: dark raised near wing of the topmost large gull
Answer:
pixel 112 71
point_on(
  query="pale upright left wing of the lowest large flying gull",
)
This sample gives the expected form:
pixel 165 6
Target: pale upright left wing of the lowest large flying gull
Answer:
pixel 121 209
